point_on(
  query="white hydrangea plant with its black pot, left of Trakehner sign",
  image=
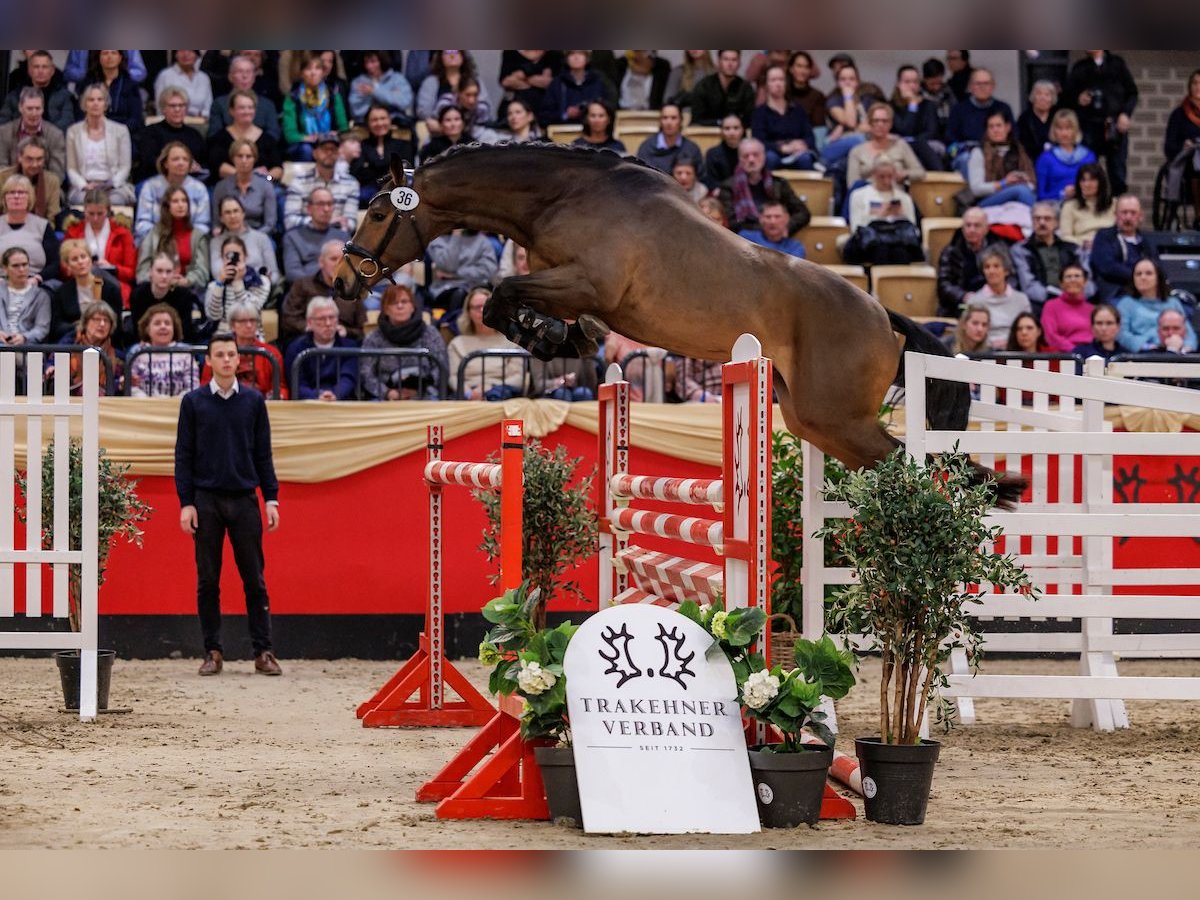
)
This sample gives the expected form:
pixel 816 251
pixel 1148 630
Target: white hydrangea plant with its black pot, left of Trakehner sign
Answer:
pixel 529 662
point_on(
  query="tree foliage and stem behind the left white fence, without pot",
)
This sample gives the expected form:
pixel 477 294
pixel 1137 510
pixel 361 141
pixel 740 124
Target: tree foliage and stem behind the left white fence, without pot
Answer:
pixel 121 511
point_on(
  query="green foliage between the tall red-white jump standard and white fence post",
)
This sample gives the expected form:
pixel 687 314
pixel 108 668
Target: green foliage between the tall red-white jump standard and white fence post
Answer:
pixel 787 529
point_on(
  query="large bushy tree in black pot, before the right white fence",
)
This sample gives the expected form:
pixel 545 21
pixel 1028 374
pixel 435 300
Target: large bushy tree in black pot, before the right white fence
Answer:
pixel 915 543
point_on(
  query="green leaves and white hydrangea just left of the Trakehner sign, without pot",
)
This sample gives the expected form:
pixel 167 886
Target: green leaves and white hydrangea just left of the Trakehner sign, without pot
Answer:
pixel 529 662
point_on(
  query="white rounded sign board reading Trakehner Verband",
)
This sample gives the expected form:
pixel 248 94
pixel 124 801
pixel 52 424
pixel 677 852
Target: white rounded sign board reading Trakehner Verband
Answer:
pixel 657 728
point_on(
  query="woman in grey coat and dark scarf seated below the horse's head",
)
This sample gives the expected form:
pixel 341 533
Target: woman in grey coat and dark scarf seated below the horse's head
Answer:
pixel 403 327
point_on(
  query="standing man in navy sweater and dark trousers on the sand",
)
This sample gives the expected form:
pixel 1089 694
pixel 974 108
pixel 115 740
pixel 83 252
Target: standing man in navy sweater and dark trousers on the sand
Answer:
pixel 223 458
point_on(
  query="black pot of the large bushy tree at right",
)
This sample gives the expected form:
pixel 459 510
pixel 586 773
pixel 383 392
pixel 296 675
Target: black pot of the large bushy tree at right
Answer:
pixel 897 779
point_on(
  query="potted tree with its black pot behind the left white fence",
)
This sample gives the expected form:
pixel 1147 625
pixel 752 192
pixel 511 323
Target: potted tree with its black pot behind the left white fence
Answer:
pixel 121 515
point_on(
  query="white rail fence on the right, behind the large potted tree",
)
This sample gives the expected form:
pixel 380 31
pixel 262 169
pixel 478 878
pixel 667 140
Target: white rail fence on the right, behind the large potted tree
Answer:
pixel 1052 425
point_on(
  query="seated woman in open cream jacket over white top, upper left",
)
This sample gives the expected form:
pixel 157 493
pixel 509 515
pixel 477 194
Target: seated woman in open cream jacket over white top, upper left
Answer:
pixel 99 152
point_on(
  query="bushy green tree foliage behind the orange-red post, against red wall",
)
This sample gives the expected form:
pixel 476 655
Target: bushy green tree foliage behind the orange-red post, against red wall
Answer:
pixel 561 526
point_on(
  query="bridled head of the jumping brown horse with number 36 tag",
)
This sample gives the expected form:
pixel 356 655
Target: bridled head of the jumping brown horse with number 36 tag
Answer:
pixel 391 236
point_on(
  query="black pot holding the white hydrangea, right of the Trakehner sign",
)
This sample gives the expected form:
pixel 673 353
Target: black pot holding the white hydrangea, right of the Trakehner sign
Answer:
pixel 790 788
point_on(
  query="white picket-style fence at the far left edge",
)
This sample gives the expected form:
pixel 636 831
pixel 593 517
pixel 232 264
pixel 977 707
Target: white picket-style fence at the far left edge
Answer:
pixel 22 423
